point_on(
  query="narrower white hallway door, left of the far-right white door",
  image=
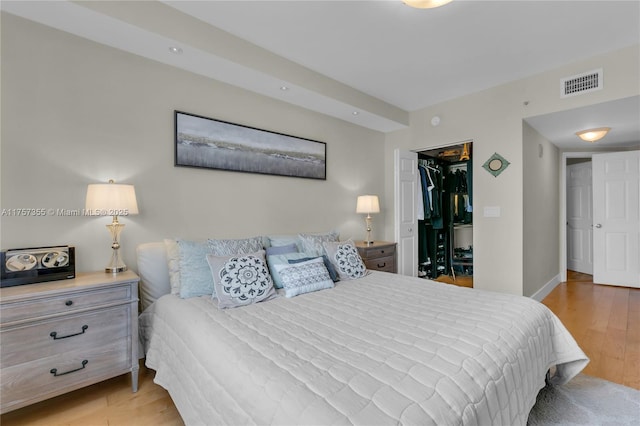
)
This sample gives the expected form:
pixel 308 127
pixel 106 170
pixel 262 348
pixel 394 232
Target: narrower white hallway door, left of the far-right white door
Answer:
pixel 579 218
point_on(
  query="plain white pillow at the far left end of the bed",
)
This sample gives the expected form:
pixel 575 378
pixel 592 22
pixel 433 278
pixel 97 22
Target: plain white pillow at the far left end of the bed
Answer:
pixel 153 272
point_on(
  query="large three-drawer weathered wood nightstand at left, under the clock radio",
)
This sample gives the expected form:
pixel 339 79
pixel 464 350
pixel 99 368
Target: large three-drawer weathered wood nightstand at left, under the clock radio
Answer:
pixel 62 335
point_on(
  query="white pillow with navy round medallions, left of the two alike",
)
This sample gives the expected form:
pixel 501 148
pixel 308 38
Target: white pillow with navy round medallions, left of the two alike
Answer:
pixel 241 280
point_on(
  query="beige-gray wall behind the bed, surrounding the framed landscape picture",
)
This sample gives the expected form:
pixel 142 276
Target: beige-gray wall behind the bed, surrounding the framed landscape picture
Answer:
pixel 76 112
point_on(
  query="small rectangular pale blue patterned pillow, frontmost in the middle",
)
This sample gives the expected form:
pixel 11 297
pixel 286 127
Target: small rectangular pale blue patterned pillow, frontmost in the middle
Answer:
pixel 304 277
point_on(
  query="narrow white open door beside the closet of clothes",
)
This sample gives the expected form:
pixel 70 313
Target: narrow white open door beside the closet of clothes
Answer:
pixel 405 206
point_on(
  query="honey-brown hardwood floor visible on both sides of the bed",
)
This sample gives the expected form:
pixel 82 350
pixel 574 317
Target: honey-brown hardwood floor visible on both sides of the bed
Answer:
pixel 604 320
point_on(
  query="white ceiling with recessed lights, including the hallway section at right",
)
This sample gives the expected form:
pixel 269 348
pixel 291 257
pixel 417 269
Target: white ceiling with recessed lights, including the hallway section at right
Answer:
pixel 379 58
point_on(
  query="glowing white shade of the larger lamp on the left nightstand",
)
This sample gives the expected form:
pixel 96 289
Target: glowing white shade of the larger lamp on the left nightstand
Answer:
pixel 110 199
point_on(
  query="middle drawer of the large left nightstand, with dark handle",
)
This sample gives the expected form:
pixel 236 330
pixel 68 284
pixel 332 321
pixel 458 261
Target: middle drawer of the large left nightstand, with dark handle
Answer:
pixel 75 333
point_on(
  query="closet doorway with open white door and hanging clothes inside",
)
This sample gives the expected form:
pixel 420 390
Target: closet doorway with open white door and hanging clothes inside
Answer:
pixel 436 200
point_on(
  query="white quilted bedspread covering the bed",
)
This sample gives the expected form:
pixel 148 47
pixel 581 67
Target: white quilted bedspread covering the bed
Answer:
pixel 385 349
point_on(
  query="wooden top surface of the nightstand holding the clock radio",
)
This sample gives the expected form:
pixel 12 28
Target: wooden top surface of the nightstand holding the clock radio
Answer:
pixel 82 280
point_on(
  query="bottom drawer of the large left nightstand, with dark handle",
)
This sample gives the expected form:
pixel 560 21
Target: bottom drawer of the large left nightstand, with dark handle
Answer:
pixel 36 379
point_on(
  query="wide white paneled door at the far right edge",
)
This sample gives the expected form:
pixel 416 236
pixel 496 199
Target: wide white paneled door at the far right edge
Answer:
pixel 616 232
